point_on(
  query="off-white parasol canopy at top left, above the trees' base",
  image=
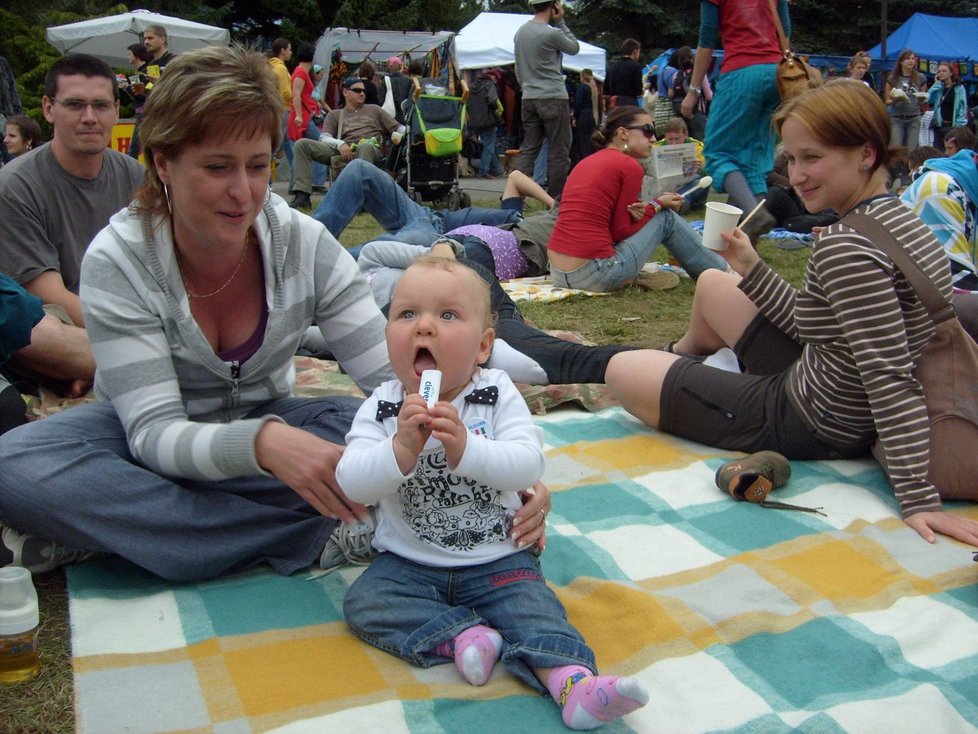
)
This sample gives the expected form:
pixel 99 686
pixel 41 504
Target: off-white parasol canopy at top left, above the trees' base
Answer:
pixel 107 38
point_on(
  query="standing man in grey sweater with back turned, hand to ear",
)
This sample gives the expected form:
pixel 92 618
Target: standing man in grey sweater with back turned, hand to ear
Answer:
pixel 540 45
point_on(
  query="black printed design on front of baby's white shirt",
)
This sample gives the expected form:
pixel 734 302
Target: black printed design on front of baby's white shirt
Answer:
pixel 451 511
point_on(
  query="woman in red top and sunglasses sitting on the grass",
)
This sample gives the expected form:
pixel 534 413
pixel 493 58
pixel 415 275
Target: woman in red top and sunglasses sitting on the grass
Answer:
pixel 605 233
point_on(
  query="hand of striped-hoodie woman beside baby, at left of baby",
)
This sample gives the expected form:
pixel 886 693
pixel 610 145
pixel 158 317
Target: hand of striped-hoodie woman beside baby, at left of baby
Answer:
pixel 307 464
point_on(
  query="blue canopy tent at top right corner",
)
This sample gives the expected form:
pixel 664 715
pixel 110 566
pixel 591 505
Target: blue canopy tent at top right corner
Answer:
pixel 934 38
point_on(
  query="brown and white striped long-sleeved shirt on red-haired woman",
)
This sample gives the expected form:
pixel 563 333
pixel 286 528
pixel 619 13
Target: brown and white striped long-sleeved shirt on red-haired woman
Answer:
pixel 862 329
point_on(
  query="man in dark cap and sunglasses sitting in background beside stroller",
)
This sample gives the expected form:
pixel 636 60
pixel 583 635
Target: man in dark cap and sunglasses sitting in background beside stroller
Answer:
pixel 355 131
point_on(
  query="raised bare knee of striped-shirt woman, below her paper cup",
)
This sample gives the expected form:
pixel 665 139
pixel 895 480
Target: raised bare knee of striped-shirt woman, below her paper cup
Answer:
pixel 719 316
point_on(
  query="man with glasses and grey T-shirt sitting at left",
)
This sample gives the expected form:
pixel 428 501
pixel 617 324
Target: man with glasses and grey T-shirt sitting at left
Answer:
pixel 54 199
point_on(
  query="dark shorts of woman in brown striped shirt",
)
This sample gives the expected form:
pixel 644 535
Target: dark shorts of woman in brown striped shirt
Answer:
pixel 745 412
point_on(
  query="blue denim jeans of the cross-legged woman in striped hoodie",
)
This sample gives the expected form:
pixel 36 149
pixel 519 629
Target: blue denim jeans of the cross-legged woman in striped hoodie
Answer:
pixel 71 478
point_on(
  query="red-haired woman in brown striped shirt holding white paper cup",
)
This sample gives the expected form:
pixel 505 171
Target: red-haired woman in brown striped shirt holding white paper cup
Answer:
pixel 829 365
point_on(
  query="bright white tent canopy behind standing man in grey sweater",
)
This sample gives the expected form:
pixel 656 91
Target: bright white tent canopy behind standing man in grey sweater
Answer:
pixel 488 41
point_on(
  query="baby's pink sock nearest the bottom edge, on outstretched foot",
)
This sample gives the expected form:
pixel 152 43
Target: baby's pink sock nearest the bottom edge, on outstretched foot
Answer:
pixel 587 700
